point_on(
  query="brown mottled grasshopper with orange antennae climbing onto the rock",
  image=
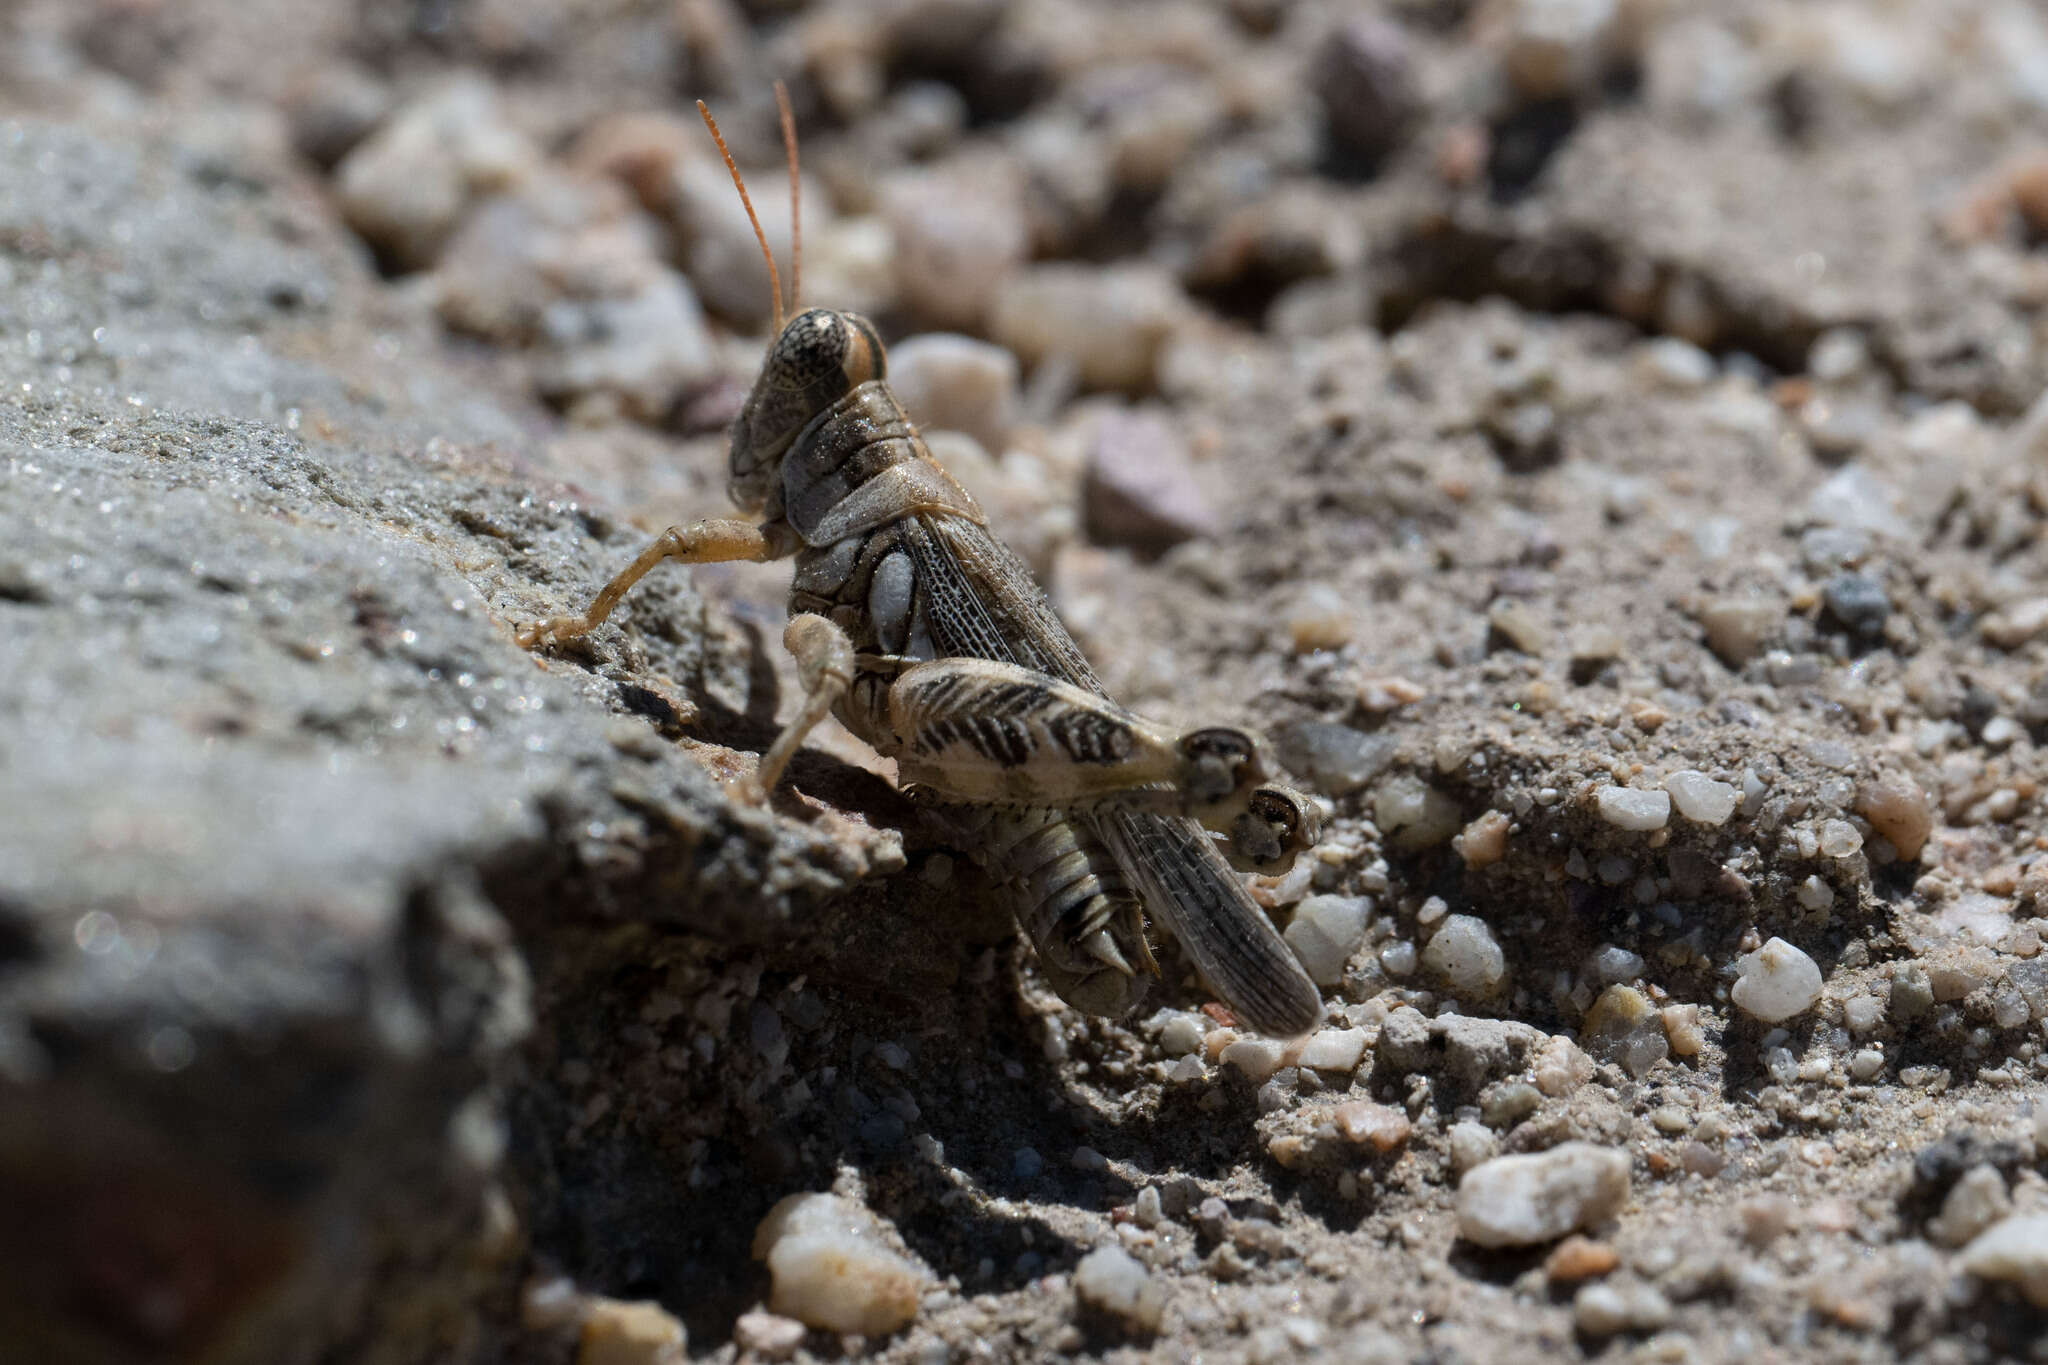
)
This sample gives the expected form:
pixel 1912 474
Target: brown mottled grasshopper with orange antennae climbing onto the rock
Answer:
pixel 931 642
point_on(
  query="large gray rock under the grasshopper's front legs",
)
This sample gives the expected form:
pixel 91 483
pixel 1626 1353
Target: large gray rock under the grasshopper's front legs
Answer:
pixel 278 791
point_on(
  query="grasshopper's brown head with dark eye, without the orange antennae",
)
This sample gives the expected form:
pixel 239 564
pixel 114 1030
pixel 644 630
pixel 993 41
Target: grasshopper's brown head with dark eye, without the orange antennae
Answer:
pixel 818 359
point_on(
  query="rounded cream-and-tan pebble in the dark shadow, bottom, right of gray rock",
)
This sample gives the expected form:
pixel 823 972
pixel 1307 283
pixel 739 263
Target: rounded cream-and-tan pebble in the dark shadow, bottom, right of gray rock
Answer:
pixel 830 1268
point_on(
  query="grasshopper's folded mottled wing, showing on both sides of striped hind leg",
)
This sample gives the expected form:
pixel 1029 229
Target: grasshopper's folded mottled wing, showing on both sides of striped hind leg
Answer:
pixel 982 601
